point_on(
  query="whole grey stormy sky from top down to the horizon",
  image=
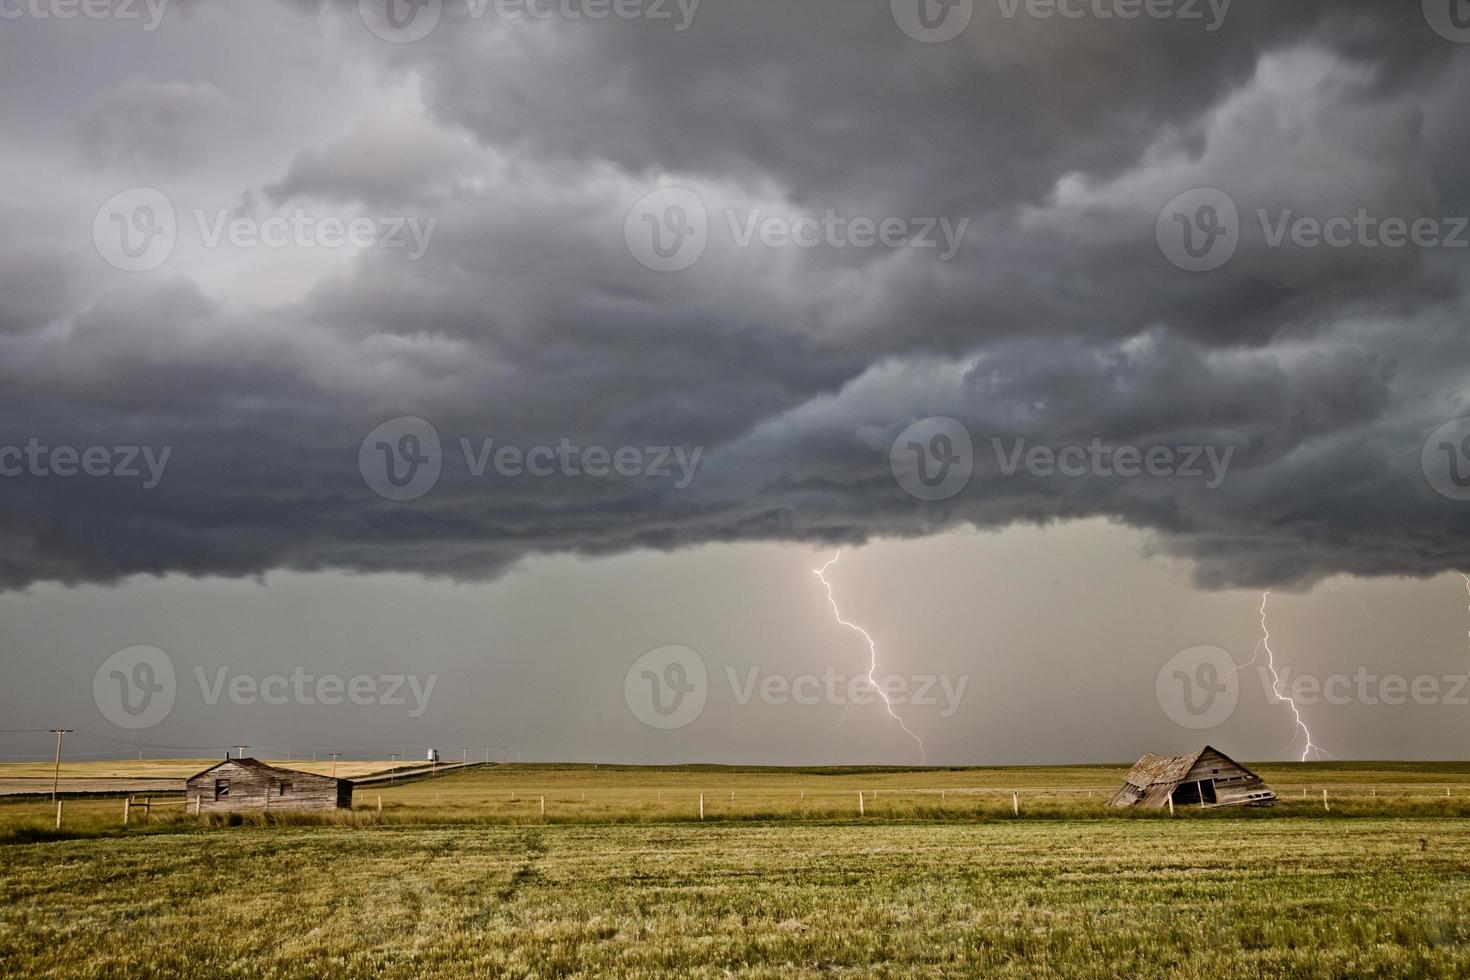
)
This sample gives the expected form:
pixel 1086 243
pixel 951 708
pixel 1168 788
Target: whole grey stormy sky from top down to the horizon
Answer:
pixel 528 321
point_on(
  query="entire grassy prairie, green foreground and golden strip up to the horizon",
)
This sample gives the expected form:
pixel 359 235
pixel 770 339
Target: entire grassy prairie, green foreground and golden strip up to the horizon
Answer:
pixel 458 879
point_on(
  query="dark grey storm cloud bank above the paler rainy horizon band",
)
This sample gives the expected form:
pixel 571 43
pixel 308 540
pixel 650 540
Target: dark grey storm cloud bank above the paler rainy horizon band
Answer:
pixel 1059 321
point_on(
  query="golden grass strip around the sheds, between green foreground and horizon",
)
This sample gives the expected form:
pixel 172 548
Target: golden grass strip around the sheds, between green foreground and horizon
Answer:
pixel 586 794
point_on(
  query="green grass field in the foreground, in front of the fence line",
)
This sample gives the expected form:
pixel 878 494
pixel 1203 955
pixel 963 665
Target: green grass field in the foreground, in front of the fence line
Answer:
pixel 1219 898
